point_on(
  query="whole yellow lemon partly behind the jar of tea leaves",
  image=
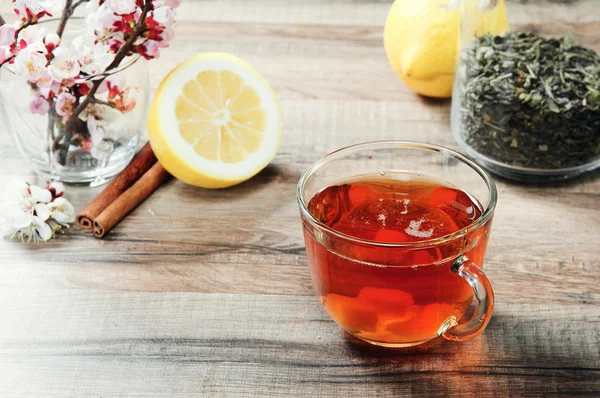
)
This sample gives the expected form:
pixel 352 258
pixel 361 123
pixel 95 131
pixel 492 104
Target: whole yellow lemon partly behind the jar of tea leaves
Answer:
pixel 421 40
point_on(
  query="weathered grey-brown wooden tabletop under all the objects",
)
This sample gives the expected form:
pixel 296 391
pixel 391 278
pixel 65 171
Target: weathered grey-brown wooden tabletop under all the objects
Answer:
pixel 207 293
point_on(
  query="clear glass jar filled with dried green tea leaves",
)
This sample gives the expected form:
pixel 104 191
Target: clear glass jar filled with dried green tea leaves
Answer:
pixel 526 102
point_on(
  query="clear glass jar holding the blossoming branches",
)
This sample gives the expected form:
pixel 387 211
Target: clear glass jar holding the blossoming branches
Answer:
pixel 100 143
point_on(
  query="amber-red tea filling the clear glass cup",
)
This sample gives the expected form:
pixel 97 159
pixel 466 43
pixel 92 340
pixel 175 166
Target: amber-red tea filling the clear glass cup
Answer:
pixel 385 293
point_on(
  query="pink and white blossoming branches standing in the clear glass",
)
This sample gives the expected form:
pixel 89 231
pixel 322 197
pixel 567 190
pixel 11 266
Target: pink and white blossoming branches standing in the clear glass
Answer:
pixel 76 83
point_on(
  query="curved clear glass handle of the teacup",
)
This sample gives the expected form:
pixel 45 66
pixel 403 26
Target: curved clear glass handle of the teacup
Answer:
pixel 484 302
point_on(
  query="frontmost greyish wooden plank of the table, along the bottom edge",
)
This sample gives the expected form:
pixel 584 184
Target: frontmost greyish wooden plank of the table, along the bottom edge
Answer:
pixel 77 343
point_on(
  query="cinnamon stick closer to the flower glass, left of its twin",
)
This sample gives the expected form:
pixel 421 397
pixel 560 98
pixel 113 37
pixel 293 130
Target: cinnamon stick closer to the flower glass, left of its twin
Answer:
pixel 139 165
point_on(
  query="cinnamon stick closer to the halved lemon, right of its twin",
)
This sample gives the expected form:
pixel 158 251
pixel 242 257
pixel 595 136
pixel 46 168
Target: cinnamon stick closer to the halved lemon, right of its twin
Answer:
pixel 130 199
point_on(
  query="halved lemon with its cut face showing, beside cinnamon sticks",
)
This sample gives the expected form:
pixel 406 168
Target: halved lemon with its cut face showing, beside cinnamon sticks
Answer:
pixel 214 121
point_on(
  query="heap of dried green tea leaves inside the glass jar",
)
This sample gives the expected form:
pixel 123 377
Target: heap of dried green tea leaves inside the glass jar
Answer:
pixel 530 101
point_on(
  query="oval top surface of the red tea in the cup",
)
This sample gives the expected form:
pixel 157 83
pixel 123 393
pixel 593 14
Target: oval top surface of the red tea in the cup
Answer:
pixel 394 210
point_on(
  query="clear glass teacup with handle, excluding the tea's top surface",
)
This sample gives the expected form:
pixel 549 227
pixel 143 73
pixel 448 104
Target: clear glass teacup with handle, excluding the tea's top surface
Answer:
pixel 407 293
